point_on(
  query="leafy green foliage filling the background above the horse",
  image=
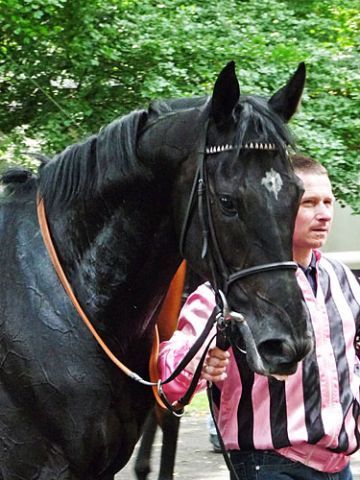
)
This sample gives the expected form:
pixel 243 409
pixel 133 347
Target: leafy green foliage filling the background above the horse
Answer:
pixel 67 67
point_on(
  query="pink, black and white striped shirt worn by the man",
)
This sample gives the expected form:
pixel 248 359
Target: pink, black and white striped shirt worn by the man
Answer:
pixel 312 417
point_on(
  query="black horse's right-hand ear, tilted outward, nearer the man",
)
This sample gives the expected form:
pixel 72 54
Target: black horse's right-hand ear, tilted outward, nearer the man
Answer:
pixel 286 100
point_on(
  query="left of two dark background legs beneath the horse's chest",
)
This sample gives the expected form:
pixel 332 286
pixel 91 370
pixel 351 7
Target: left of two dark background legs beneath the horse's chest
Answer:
pixel 142 464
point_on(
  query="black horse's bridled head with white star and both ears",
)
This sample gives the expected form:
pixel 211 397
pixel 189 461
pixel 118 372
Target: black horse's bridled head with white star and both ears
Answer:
pixel 235 199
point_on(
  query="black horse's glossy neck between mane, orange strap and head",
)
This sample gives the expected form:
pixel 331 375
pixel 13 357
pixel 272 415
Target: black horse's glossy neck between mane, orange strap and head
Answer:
pixel 119 255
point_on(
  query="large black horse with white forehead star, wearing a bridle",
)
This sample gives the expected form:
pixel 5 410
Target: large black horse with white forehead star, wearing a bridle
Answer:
pixel 115 205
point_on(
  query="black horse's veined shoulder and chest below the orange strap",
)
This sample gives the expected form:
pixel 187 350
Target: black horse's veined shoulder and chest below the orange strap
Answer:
pixel 77 412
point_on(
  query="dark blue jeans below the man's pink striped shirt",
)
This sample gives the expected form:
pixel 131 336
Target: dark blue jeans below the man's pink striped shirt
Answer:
pixel 265 465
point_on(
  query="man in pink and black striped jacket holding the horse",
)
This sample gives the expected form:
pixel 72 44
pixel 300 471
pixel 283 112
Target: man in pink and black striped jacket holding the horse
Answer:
pixel 304 428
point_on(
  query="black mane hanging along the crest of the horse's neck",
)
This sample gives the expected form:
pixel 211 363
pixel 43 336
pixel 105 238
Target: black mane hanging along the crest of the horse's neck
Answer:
pixel 86 168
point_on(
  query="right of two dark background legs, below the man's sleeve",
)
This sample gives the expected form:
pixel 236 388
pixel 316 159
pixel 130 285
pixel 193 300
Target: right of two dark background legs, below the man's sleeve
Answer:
pixel 170 426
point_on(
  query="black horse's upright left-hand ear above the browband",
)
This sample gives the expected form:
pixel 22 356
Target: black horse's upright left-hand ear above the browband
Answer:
pixel 226 93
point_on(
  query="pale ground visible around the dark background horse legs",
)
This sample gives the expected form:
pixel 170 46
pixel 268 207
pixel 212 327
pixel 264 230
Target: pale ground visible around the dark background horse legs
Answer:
pixel 195 458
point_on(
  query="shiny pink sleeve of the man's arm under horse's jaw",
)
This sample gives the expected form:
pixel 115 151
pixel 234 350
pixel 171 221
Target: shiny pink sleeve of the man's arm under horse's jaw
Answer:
pixel 193 317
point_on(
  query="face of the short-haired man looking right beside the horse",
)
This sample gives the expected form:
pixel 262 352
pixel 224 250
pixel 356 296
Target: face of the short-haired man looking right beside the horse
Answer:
pixel 315 213
